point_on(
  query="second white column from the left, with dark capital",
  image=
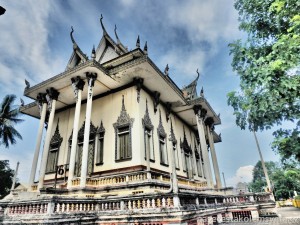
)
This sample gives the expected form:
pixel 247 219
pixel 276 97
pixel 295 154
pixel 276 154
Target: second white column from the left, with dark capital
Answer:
pixel 53 95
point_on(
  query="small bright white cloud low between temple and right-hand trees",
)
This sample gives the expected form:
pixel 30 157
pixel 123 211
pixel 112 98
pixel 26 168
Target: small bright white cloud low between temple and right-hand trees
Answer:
pixel 243 174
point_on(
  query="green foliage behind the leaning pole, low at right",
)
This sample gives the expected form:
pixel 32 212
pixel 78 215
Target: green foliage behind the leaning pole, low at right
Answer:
pixel 285 179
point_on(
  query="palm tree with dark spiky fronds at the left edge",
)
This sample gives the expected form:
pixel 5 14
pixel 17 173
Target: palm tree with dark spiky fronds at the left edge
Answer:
pixel 8 118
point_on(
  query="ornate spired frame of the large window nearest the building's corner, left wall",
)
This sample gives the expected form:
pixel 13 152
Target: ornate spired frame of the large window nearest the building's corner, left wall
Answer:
pixel 123 121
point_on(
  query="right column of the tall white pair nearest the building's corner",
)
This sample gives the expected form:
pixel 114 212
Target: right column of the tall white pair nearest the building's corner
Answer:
pixel 91 79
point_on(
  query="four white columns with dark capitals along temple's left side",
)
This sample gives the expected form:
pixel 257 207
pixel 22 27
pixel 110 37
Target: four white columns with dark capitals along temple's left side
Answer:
pixel 50 98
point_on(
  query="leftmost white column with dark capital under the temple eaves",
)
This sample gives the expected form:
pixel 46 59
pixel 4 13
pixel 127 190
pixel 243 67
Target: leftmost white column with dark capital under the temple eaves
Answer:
pixel 43 103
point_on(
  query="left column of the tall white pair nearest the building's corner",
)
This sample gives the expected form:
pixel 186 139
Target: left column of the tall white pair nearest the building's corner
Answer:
pixel 77 85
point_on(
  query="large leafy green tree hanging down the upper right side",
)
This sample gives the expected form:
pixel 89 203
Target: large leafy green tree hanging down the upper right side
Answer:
pixel 268 64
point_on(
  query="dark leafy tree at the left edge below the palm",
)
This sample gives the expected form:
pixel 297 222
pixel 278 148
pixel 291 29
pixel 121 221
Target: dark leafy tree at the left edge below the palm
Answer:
pixel 6 178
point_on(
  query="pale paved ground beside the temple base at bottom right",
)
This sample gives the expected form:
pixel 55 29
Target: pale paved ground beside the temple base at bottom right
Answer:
pixel 287 216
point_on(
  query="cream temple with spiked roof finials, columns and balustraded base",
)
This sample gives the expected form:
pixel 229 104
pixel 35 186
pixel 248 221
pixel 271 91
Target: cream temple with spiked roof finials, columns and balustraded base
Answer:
pixel 123 144
